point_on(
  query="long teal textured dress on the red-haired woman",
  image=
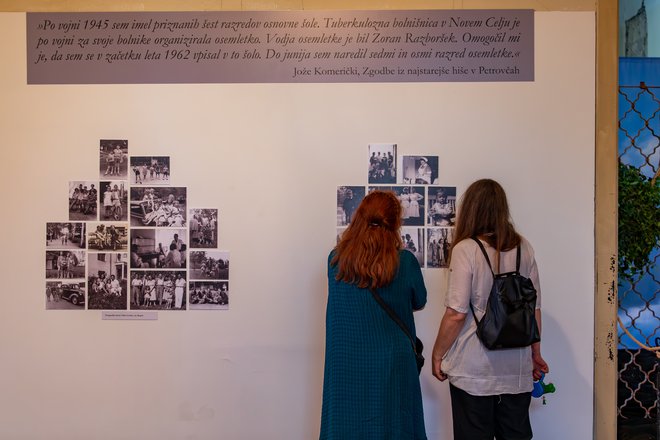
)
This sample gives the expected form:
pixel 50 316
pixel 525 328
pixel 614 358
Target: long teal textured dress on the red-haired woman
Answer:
pixel 371 388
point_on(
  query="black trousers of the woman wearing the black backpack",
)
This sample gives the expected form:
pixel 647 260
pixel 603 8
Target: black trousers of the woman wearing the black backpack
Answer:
pixel 503 416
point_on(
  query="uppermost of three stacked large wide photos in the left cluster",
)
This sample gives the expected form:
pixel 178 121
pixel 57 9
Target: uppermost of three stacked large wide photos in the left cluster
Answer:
pixel 158 206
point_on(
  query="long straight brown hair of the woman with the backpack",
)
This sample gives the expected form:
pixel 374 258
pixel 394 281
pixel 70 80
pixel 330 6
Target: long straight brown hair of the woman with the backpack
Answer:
pixel 484 212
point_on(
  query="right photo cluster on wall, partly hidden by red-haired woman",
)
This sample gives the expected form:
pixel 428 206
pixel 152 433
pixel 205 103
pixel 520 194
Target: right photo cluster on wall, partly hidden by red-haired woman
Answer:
pixel 428 209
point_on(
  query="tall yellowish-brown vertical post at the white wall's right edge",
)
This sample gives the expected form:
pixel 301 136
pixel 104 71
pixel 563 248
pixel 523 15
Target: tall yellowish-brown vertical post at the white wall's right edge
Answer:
pixel 606 221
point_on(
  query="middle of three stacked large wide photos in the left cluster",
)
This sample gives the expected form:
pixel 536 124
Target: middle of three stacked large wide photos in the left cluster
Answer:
pixel 157 248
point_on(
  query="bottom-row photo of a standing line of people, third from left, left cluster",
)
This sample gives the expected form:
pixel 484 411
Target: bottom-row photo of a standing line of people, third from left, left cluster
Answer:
pixel 158 290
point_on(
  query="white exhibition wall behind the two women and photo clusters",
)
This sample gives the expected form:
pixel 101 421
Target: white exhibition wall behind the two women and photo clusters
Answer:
pixel 270 158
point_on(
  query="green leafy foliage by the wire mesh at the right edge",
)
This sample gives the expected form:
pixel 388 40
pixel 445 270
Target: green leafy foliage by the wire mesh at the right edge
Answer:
pixel 639 220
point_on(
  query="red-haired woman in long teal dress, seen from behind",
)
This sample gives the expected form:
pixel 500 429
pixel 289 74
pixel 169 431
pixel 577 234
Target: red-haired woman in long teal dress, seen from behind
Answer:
pixel 371 384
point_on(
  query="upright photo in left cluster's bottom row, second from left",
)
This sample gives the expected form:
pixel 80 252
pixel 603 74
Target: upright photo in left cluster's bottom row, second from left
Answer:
pixel 107 278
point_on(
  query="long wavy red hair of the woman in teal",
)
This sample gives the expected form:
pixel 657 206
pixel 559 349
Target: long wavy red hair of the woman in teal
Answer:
pixel 368 253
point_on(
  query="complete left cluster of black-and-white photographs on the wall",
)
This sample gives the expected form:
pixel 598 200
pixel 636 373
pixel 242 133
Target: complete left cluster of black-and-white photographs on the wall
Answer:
pixel 127 244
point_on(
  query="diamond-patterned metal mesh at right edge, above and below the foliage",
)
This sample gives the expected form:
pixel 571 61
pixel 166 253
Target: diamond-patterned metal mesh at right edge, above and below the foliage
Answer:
pixel 639 296
